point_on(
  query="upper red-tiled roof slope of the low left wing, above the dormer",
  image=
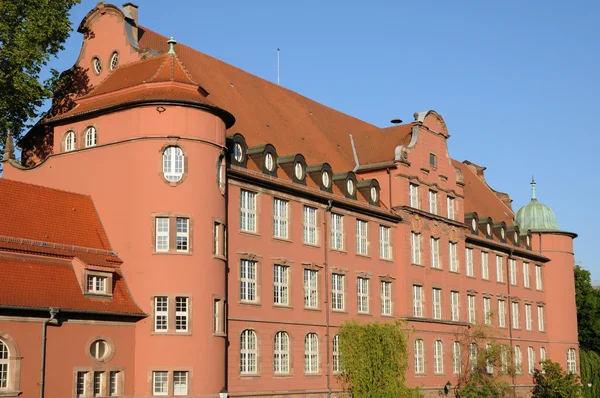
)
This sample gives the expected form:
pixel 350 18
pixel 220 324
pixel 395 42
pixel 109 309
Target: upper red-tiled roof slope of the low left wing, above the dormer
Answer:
pixel 50 215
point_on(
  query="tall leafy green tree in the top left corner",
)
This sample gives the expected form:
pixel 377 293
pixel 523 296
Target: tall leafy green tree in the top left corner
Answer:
pixel 31 32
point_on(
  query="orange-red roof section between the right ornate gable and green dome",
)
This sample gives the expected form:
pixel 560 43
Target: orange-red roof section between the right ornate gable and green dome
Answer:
pixel 480 198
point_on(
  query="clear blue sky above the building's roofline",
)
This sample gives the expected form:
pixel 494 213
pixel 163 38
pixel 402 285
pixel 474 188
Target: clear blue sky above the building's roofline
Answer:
pixel 517 82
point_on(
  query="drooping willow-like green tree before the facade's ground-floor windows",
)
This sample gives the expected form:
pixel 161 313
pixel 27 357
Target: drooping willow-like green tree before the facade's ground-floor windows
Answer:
pixel 373 357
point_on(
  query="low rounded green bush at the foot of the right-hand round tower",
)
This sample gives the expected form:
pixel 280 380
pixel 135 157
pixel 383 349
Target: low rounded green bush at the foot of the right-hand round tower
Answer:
pixel 554 382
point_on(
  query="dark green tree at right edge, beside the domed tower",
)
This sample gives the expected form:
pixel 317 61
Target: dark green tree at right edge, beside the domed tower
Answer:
pixel 588 310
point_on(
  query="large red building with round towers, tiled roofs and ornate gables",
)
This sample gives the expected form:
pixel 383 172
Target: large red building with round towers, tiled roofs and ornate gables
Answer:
pixel 207 231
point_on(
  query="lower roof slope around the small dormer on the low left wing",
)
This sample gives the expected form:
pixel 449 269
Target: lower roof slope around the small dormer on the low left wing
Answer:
pixel 30 283
